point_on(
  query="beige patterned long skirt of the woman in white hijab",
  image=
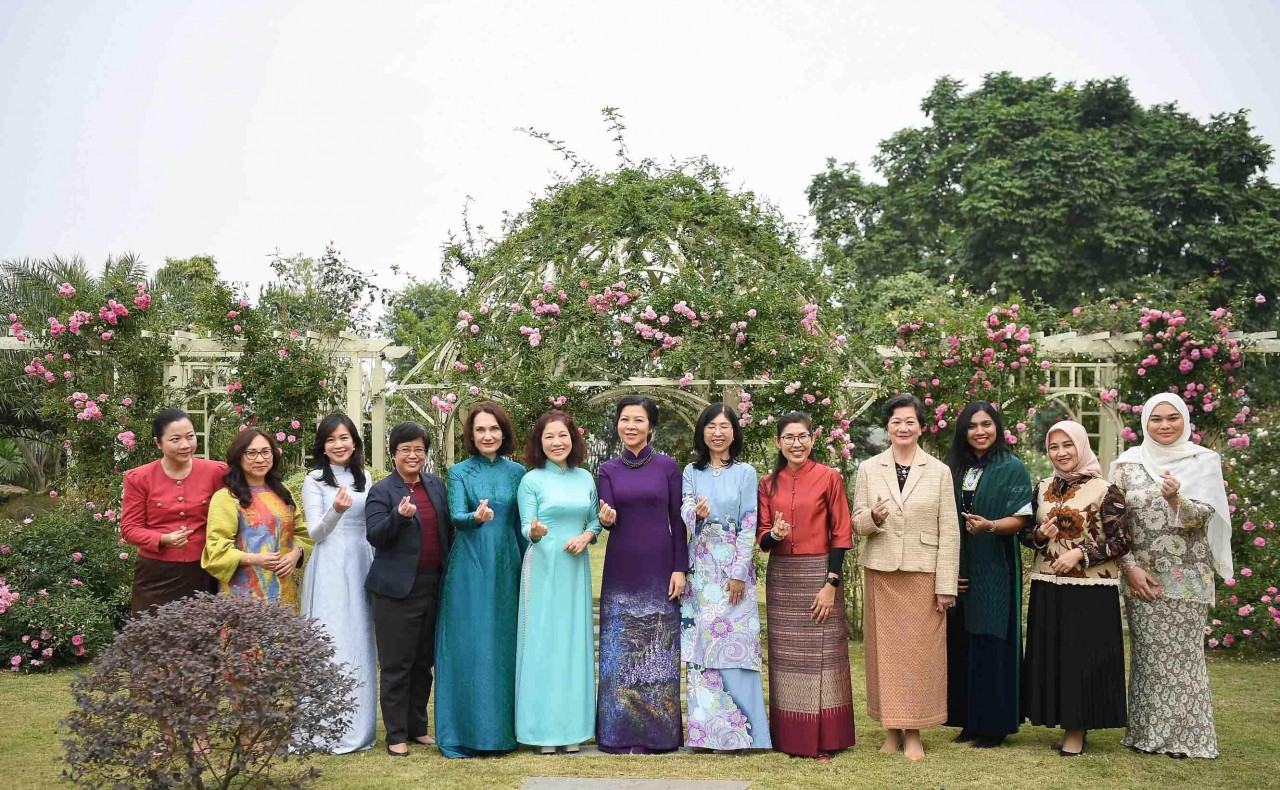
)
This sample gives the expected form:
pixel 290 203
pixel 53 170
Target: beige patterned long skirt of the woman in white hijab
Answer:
pixel 1171 706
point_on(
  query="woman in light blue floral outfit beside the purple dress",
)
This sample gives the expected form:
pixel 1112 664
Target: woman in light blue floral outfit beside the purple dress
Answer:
pixel 720 615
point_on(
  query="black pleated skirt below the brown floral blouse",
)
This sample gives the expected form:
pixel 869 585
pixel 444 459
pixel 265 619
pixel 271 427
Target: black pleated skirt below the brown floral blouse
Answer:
pixel 1073 669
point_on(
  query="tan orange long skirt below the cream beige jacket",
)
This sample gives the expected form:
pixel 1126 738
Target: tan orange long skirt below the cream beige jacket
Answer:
pixel 907 651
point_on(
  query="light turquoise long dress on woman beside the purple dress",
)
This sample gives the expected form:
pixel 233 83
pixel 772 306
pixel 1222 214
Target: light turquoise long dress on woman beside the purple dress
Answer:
pixel 556 643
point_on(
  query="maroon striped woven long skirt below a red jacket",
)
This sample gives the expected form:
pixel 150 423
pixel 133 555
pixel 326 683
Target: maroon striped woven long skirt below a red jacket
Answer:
pixel 811 692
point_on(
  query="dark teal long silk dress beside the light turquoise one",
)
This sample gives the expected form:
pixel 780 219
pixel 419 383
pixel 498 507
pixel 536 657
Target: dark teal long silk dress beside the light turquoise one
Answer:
pixel 476 641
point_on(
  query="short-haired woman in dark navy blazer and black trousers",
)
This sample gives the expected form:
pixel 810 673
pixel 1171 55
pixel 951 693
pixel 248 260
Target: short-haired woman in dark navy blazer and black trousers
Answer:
pixel 406 520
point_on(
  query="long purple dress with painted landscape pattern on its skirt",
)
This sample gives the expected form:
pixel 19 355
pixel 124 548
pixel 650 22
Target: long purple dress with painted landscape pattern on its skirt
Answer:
pixel 638 701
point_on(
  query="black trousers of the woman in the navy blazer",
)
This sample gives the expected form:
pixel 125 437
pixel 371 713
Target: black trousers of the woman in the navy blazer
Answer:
pixel 405 631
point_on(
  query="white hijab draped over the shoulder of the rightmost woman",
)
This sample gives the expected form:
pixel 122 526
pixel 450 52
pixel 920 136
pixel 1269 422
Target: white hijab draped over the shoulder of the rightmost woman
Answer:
pixel 1199 471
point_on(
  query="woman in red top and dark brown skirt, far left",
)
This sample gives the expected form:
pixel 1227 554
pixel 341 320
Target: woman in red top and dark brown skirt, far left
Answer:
pixel 166 506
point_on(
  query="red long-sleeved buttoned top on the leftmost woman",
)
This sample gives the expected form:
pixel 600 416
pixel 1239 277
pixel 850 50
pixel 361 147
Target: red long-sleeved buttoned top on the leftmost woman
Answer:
pixel 156 504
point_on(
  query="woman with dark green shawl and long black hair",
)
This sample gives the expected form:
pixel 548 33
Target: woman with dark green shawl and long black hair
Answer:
pixel 985 637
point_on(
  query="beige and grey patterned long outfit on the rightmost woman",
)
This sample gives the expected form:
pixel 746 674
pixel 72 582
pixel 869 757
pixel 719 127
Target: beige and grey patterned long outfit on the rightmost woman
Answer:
pixel 1171 705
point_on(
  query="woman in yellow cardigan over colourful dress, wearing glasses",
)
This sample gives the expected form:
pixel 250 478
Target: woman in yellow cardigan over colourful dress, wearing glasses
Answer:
pixel 253 544
